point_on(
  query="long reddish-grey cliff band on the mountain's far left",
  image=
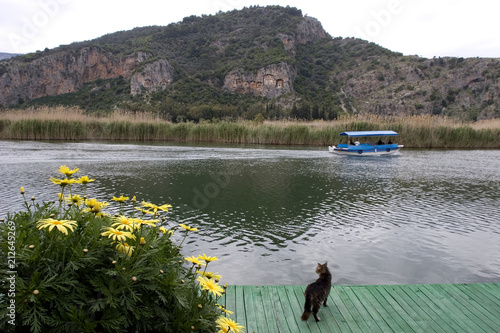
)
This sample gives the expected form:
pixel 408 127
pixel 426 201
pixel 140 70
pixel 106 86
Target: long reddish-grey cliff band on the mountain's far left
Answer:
pixel 63 72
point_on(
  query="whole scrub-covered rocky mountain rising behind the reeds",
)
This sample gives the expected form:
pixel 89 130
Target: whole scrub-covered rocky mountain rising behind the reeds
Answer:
pixel 270 60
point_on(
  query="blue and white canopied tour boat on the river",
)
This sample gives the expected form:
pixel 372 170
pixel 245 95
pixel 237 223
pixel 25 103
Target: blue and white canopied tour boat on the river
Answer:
pixel 380 145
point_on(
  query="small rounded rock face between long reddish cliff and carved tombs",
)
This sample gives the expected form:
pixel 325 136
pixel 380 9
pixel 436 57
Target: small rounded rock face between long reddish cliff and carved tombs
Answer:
pixel 154 77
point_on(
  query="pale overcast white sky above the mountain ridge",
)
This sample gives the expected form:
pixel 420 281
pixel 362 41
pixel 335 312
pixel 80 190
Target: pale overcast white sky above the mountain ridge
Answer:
pixel 414 27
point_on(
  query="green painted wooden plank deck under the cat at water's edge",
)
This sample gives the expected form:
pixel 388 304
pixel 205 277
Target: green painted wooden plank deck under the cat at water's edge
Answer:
pixel 388 308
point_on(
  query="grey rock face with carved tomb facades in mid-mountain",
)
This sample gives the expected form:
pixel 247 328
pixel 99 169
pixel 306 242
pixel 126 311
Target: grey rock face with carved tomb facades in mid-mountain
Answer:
pixel 271 81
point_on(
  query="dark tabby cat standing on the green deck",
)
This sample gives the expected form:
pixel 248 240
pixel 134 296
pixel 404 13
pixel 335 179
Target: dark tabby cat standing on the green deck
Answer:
pixel 317 292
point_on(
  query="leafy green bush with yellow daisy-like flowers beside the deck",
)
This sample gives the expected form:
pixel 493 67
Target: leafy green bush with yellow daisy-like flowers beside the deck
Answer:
pixel 78 269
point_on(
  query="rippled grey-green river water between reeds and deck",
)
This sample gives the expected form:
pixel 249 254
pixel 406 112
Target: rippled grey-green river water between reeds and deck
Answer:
pixel 271 213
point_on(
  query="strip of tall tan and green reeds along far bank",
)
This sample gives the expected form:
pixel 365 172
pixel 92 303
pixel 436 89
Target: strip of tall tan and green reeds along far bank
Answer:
pixel 61 123
